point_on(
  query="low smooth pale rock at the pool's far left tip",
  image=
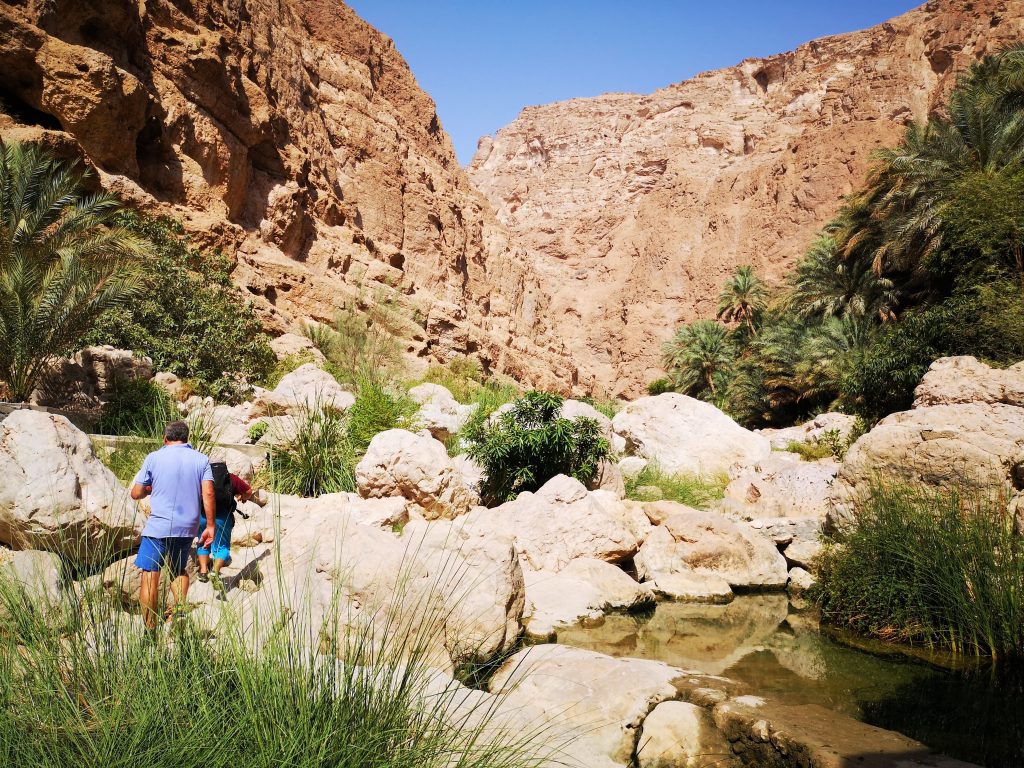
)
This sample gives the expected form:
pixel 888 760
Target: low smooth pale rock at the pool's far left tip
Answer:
pixel 582 591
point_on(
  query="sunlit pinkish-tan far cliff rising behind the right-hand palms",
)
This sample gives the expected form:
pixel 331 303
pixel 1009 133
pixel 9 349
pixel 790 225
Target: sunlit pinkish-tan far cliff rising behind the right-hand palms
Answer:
pixel 643 205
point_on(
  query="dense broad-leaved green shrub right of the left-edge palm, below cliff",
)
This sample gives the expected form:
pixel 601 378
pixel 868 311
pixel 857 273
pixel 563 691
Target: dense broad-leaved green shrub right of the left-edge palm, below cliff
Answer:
pixel 189 317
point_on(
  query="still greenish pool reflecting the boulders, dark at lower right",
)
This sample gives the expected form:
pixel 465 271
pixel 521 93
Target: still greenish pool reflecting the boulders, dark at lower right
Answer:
pixel 975 714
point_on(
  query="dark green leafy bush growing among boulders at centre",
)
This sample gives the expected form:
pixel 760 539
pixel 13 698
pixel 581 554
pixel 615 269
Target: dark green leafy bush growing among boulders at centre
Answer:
pixel 531 444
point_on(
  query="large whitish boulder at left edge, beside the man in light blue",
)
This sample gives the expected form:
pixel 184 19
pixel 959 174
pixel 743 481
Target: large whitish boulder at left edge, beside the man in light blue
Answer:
pixel 58 496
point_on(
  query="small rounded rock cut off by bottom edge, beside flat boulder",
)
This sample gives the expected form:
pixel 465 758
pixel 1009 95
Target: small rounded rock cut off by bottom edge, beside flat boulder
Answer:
pixel 677 735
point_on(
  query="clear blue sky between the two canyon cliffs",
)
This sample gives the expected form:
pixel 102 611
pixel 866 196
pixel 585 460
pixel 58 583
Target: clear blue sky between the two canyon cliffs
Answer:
pixel 483 62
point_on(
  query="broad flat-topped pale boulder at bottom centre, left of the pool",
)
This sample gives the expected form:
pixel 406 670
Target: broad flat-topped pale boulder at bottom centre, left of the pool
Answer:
pixel 604 700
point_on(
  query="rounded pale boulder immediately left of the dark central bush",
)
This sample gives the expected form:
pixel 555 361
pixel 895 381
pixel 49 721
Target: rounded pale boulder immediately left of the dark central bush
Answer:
pixel 417 468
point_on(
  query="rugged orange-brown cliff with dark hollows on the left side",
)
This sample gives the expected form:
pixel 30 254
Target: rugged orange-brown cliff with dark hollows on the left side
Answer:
pixel 292 136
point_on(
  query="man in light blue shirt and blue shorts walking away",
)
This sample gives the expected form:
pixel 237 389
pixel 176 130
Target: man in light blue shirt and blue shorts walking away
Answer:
pixel 180 483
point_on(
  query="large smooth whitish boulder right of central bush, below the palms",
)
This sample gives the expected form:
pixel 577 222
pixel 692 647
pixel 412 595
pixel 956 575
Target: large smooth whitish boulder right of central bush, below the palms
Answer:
pixel 687 436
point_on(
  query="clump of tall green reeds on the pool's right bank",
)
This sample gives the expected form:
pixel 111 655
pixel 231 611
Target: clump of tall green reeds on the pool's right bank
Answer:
pixel 924 567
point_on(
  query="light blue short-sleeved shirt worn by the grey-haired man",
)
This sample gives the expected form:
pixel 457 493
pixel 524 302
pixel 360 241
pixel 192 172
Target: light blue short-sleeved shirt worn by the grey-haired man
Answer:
pixel 176 474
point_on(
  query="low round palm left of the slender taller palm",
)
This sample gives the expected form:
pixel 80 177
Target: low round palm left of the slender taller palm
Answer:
pixel 699 358
